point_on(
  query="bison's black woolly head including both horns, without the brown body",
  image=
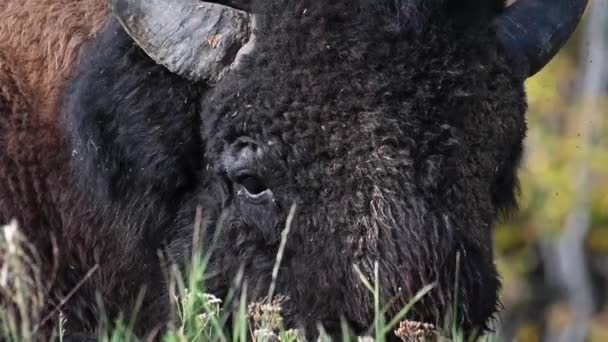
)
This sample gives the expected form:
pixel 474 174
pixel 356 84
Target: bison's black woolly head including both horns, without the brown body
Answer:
pixel 390 131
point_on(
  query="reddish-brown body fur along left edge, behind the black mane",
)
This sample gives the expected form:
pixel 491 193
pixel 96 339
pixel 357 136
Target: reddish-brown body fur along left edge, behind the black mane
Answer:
pixel 40 42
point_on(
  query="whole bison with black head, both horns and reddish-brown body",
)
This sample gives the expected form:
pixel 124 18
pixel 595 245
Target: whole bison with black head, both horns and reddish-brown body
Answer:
pixel 388 134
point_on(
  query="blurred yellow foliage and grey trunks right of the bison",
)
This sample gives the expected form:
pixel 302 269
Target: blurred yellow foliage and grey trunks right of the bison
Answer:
pixel 553 253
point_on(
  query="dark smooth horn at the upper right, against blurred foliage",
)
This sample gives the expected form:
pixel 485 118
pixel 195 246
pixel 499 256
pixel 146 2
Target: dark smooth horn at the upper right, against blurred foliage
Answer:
pixel 533 31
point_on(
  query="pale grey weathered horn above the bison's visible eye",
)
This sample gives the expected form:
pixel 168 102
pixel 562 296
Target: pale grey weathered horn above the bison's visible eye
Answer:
pixel 194 39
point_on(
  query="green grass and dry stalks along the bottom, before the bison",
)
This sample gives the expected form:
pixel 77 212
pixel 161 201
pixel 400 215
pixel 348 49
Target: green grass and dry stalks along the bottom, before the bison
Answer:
pixel 199 316
